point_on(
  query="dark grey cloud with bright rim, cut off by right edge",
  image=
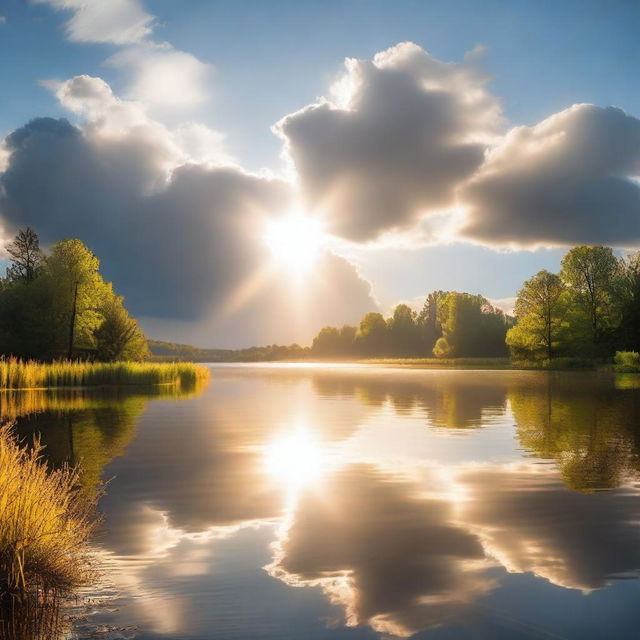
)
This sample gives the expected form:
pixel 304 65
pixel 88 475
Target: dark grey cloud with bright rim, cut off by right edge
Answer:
pixel 570 179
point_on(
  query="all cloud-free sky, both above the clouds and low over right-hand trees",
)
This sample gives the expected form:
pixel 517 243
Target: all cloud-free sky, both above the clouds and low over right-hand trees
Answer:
pixel 267 59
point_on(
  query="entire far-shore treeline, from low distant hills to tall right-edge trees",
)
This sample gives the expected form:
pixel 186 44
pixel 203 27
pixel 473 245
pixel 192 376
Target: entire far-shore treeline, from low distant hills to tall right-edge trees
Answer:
pixel 586 315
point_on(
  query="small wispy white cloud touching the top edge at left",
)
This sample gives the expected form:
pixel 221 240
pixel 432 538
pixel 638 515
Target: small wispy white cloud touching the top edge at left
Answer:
pixel 115 21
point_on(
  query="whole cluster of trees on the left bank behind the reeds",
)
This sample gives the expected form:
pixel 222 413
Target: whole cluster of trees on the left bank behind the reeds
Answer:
pixel 58 305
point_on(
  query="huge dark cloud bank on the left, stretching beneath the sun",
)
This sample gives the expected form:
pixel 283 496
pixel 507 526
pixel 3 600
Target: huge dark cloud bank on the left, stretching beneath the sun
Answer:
pixel 180 240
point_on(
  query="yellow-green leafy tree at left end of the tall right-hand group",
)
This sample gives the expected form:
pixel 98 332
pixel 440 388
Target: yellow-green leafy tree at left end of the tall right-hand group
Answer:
pixel 540 310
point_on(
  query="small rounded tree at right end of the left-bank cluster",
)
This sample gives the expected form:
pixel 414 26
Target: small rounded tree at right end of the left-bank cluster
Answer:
pixel 119 336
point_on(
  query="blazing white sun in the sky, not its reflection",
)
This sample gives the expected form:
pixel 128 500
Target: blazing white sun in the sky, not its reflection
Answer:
pixel 295 241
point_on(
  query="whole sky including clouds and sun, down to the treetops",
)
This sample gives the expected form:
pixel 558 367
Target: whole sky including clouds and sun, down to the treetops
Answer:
pixel 249 171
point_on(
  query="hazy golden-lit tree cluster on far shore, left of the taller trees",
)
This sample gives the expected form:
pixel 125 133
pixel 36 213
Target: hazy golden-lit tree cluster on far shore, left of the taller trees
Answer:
pixel 450 325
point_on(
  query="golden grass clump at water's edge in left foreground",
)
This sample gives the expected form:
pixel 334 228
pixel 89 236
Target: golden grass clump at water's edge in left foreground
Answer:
pixel 45 525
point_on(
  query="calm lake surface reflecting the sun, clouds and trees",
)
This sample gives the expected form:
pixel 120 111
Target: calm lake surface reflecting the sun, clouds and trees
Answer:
pixel 359 503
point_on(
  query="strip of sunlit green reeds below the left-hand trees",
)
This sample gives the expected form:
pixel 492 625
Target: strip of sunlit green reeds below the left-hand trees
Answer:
pixel 16 374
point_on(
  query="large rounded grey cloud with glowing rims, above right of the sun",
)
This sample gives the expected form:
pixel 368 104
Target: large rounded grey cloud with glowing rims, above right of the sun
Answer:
pixel 400 134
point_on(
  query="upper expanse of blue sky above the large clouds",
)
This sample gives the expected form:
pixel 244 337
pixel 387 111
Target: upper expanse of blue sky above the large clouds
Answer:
pixel 272 57
